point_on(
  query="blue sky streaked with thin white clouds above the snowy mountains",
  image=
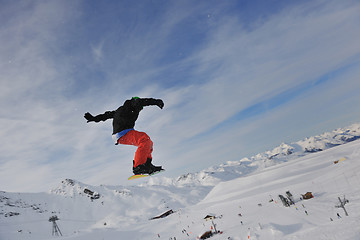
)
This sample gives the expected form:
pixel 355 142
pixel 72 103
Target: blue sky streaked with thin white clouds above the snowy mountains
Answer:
pixel 237 78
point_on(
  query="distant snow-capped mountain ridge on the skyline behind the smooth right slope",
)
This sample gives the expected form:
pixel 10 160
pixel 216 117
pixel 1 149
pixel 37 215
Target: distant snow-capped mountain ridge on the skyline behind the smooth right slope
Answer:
pixel 283 153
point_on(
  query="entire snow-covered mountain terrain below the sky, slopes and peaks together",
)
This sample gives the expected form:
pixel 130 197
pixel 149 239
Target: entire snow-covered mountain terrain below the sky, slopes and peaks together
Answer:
pixel 238 194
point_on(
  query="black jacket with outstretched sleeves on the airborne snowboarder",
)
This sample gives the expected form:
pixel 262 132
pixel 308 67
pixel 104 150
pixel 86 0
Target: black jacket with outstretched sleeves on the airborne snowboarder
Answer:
pixel 125 116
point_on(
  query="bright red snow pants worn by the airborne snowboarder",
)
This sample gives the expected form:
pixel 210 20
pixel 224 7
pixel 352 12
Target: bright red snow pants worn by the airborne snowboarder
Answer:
pixel 140 140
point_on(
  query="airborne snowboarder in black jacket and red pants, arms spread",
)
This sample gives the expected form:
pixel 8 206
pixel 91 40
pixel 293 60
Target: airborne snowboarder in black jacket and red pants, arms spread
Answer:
pixel 124 133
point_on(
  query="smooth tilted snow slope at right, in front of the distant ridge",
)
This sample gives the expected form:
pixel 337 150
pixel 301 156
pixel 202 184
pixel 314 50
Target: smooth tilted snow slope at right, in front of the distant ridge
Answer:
pixel 307 219
